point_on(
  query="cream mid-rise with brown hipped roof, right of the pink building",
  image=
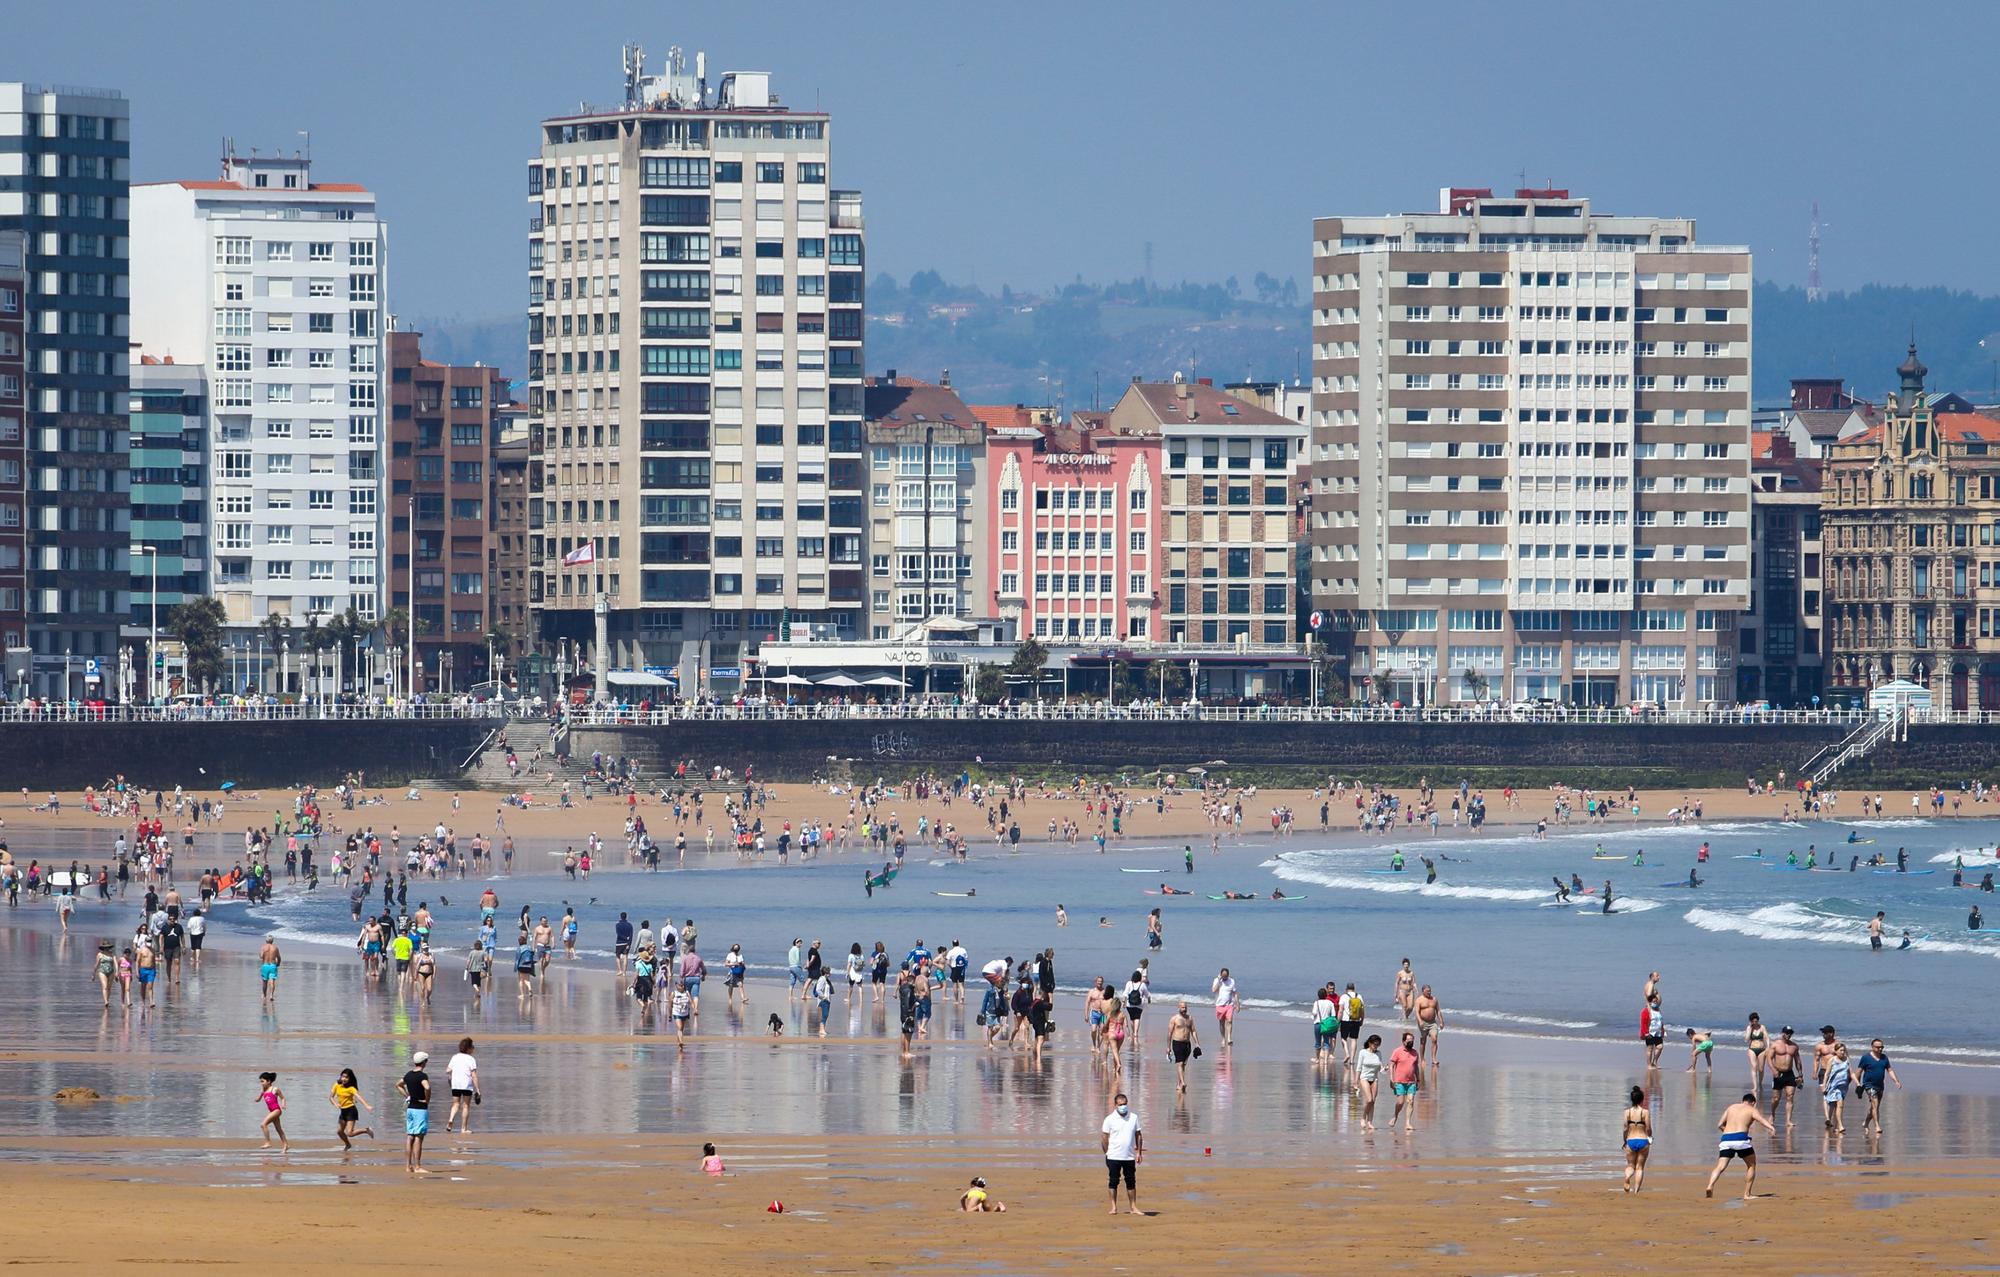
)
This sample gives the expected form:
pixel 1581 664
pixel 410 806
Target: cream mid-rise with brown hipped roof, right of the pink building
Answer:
pixel 1229 529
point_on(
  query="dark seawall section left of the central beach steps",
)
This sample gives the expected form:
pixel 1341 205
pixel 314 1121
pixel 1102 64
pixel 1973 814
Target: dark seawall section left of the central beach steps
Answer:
pixel 203 756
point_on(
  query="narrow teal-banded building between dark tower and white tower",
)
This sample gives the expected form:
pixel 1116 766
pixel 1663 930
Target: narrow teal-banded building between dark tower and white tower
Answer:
pixel 169 507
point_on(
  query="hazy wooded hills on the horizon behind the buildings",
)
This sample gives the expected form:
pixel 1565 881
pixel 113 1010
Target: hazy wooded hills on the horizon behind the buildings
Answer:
pixel 1091 339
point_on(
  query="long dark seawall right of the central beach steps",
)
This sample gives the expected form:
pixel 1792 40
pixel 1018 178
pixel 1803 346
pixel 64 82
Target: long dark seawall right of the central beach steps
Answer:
pixel 1651 754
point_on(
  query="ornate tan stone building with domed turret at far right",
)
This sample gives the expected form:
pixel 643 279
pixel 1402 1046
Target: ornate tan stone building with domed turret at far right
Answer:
pixel 1913 551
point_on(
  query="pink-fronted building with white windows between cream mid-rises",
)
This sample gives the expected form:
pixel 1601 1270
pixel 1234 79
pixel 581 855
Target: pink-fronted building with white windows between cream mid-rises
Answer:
pixel 1073 541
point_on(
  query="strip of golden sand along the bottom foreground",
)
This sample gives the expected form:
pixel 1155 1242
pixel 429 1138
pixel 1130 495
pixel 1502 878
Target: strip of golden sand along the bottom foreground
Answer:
pixel 891 1206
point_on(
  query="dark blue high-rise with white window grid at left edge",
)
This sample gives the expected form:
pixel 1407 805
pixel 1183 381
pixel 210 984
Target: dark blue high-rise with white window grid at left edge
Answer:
pixel 65 183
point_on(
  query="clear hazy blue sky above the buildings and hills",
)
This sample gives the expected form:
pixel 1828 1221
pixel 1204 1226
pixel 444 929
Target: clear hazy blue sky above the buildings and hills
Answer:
pixel 1037 143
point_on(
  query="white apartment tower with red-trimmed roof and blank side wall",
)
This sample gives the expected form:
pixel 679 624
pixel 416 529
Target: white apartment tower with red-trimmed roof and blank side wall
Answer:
pixel 277 285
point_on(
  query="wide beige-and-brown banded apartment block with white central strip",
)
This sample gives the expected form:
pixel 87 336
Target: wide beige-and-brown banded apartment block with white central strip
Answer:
pixel 1531 453
